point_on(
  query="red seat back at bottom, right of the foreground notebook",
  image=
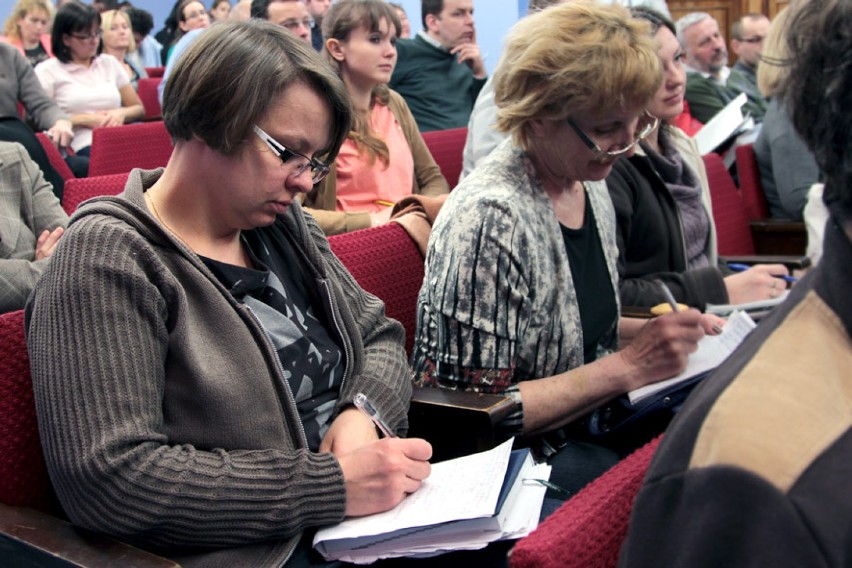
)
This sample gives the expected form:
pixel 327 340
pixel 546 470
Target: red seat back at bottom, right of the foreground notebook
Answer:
pixel 587 531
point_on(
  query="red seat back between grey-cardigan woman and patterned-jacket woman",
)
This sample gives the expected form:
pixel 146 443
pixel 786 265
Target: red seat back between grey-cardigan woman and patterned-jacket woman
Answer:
pixel 385 262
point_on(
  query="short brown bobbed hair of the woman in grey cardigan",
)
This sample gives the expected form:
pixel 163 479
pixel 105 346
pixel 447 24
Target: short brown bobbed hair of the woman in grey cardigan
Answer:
pixel 228 79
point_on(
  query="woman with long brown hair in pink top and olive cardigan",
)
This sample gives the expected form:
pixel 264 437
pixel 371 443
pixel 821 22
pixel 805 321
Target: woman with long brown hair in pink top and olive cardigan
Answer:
pixel 384 158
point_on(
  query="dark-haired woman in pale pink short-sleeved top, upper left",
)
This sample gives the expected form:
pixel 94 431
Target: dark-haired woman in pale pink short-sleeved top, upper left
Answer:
pixel 91 87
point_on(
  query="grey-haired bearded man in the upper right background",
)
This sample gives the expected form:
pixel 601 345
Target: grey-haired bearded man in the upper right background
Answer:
pixel 708 79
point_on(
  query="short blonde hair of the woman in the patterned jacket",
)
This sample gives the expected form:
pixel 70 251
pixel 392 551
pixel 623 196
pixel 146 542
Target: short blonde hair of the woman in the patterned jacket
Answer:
pixel 573 58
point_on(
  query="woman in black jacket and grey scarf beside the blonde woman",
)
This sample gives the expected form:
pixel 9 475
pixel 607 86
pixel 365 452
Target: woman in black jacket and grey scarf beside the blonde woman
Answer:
pixel 662 204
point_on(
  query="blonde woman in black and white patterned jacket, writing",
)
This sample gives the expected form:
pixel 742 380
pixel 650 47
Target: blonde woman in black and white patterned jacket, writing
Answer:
pixel 520 291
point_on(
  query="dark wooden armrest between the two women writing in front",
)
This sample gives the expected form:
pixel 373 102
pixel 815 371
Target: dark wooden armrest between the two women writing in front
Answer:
pixel 457 423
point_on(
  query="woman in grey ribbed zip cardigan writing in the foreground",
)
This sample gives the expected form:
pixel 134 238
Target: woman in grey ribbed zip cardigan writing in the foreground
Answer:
pixel 197 346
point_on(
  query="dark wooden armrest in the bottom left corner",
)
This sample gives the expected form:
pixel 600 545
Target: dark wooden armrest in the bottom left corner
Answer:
pixel 32 538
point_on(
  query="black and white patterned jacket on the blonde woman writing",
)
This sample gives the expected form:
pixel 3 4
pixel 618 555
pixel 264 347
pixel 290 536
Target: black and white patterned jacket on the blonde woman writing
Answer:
pixel 498 304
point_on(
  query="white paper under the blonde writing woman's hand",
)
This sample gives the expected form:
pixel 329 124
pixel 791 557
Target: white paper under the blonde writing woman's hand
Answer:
pixel 712 350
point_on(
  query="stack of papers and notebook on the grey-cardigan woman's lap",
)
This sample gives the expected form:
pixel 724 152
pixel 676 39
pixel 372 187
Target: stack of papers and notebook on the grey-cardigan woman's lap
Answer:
pixel 465 504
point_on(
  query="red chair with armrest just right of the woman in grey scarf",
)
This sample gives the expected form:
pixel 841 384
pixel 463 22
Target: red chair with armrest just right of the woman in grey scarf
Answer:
pixel 735 234
